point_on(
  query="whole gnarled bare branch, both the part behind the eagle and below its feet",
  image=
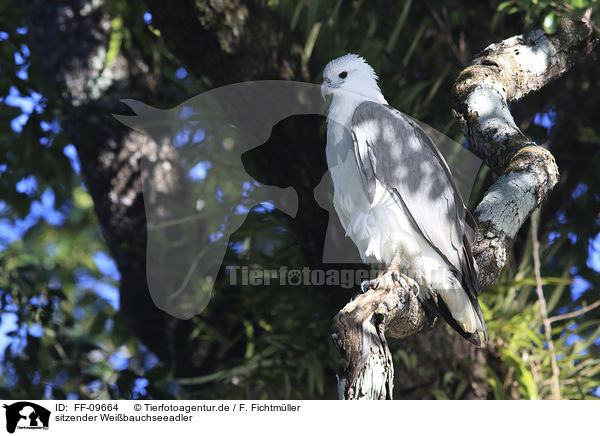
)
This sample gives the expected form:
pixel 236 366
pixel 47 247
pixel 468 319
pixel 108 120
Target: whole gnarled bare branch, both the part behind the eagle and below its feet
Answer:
pixel 502 73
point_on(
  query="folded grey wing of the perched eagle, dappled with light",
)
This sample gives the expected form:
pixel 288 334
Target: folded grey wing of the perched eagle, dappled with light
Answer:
pixel 391 148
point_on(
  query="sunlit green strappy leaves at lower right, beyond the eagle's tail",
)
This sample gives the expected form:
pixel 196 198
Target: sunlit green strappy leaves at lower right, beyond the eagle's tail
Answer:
pixel 517 338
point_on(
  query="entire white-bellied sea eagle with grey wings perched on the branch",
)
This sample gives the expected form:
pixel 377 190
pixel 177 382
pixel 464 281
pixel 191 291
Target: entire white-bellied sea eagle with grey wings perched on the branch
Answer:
pixel 396 198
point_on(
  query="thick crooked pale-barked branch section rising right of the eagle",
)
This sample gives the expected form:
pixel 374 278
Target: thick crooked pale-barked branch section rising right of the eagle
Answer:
pixel 503 73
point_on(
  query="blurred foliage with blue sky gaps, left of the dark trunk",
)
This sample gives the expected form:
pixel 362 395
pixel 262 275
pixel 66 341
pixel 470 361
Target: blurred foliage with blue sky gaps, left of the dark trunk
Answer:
pixel 67 338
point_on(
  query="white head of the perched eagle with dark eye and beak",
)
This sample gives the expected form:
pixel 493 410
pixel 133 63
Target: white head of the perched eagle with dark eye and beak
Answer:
pixel 349 76
